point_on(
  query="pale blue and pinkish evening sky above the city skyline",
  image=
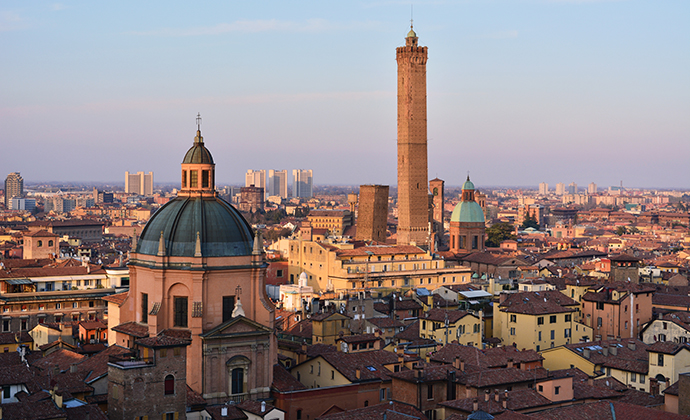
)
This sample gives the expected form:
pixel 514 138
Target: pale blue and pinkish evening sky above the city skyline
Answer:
pixel 518 91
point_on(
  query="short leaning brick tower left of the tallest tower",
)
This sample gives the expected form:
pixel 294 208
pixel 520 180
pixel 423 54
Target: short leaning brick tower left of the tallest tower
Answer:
pixel 372 214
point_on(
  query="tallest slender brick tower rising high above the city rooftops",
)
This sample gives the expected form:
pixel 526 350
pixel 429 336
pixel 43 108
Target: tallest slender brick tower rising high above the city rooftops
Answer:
pixel 413 198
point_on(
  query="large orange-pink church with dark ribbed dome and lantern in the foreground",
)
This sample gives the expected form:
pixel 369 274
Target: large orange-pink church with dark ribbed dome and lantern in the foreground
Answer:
pixel 197 272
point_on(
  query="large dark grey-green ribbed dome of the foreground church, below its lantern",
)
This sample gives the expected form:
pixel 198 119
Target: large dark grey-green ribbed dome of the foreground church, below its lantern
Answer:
pixel 222 230
